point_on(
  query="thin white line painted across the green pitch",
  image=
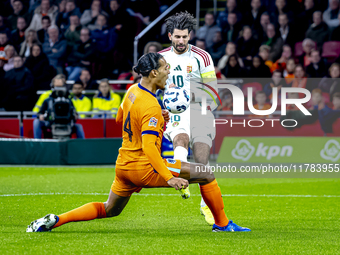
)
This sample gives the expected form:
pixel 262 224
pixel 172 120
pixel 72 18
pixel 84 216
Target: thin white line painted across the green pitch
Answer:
pixel 146 194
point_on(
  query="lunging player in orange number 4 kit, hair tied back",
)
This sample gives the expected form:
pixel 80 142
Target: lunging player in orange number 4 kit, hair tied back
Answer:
pixel 139 163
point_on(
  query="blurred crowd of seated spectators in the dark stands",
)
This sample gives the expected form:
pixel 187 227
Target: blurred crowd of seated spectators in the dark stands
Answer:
pixel 290 42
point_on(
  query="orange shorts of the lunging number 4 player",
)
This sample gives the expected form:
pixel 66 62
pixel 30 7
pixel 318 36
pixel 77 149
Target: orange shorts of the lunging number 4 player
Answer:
pixel 129 181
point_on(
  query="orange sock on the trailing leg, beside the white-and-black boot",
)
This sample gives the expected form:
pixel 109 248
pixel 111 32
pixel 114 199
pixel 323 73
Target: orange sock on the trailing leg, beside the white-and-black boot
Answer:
pixel 88 211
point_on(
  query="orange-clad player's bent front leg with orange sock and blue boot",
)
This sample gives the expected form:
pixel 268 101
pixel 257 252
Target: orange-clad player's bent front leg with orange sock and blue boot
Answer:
pixel 211 193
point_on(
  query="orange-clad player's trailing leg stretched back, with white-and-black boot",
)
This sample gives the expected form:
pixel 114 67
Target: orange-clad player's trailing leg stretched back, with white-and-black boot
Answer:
pixel 95 210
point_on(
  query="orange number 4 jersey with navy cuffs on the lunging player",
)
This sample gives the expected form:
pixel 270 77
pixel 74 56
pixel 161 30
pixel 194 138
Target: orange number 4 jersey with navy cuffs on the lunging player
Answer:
pixel 140 114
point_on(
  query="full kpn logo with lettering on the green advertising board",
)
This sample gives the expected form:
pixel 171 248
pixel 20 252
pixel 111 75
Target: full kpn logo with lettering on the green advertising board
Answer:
pixel 244 150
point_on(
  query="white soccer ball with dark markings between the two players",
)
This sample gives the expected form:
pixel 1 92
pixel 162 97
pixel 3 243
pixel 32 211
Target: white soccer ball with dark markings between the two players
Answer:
pixel 176 100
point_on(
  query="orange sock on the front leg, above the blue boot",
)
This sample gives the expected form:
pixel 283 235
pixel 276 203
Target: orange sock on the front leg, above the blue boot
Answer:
pixel 212 196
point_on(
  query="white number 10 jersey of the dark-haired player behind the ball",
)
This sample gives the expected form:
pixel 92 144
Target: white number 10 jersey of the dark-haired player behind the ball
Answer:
pixel 195 63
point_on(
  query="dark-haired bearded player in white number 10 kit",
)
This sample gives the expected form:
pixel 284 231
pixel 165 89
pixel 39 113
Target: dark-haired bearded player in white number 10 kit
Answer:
pixel 187 62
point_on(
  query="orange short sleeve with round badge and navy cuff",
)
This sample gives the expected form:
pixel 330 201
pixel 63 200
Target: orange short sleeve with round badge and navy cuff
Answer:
pixel 151 121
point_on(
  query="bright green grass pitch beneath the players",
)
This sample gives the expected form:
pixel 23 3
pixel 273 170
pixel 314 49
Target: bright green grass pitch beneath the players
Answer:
pixel 159 221
